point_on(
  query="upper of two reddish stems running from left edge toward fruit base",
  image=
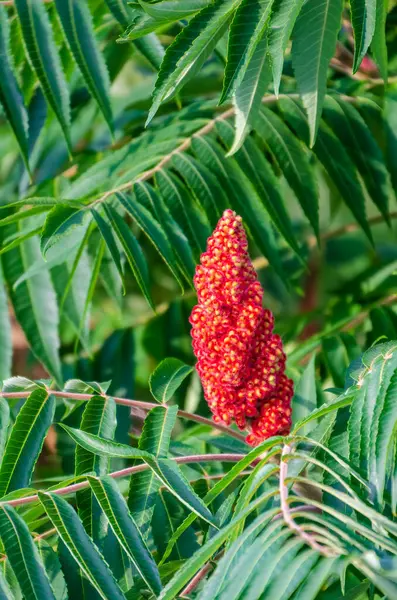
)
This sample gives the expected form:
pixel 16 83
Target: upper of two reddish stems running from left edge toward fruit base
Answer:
pixel 133 404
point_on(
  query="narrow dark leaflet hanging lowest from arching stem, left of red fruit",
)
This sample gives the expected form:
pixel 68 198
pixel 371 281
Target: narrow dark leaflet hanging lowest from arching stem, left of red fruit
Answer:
pixel 132 250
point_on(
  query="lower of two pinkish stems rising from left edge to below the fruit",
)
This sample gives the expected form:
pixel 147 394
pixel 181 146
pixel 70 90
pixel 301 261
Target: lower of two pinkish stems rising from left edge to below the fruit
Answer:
pixel 76 487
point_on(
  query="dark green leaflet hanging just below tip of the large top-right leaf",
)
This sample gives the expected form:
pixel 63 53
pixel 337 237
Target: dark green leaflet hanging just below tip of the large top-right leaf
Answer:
pixel 293 162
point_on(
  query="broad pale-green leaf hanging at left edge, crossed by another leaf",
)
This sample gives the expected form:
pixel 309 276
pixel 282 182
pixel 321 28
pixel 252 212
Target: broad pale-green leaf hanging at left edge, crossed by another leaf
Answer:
pixel 35 305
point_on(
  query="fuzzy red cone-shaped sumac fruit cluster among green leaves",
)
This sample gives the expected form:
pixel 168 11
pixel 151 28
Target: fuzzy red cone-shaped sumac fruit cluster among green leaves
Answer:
pixel 240 360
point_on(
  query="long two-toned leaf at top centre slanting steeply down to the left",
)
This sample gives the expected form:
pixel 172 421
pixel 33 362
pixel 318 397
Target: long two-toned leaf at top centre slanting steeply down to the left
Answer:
pixel 191 47
